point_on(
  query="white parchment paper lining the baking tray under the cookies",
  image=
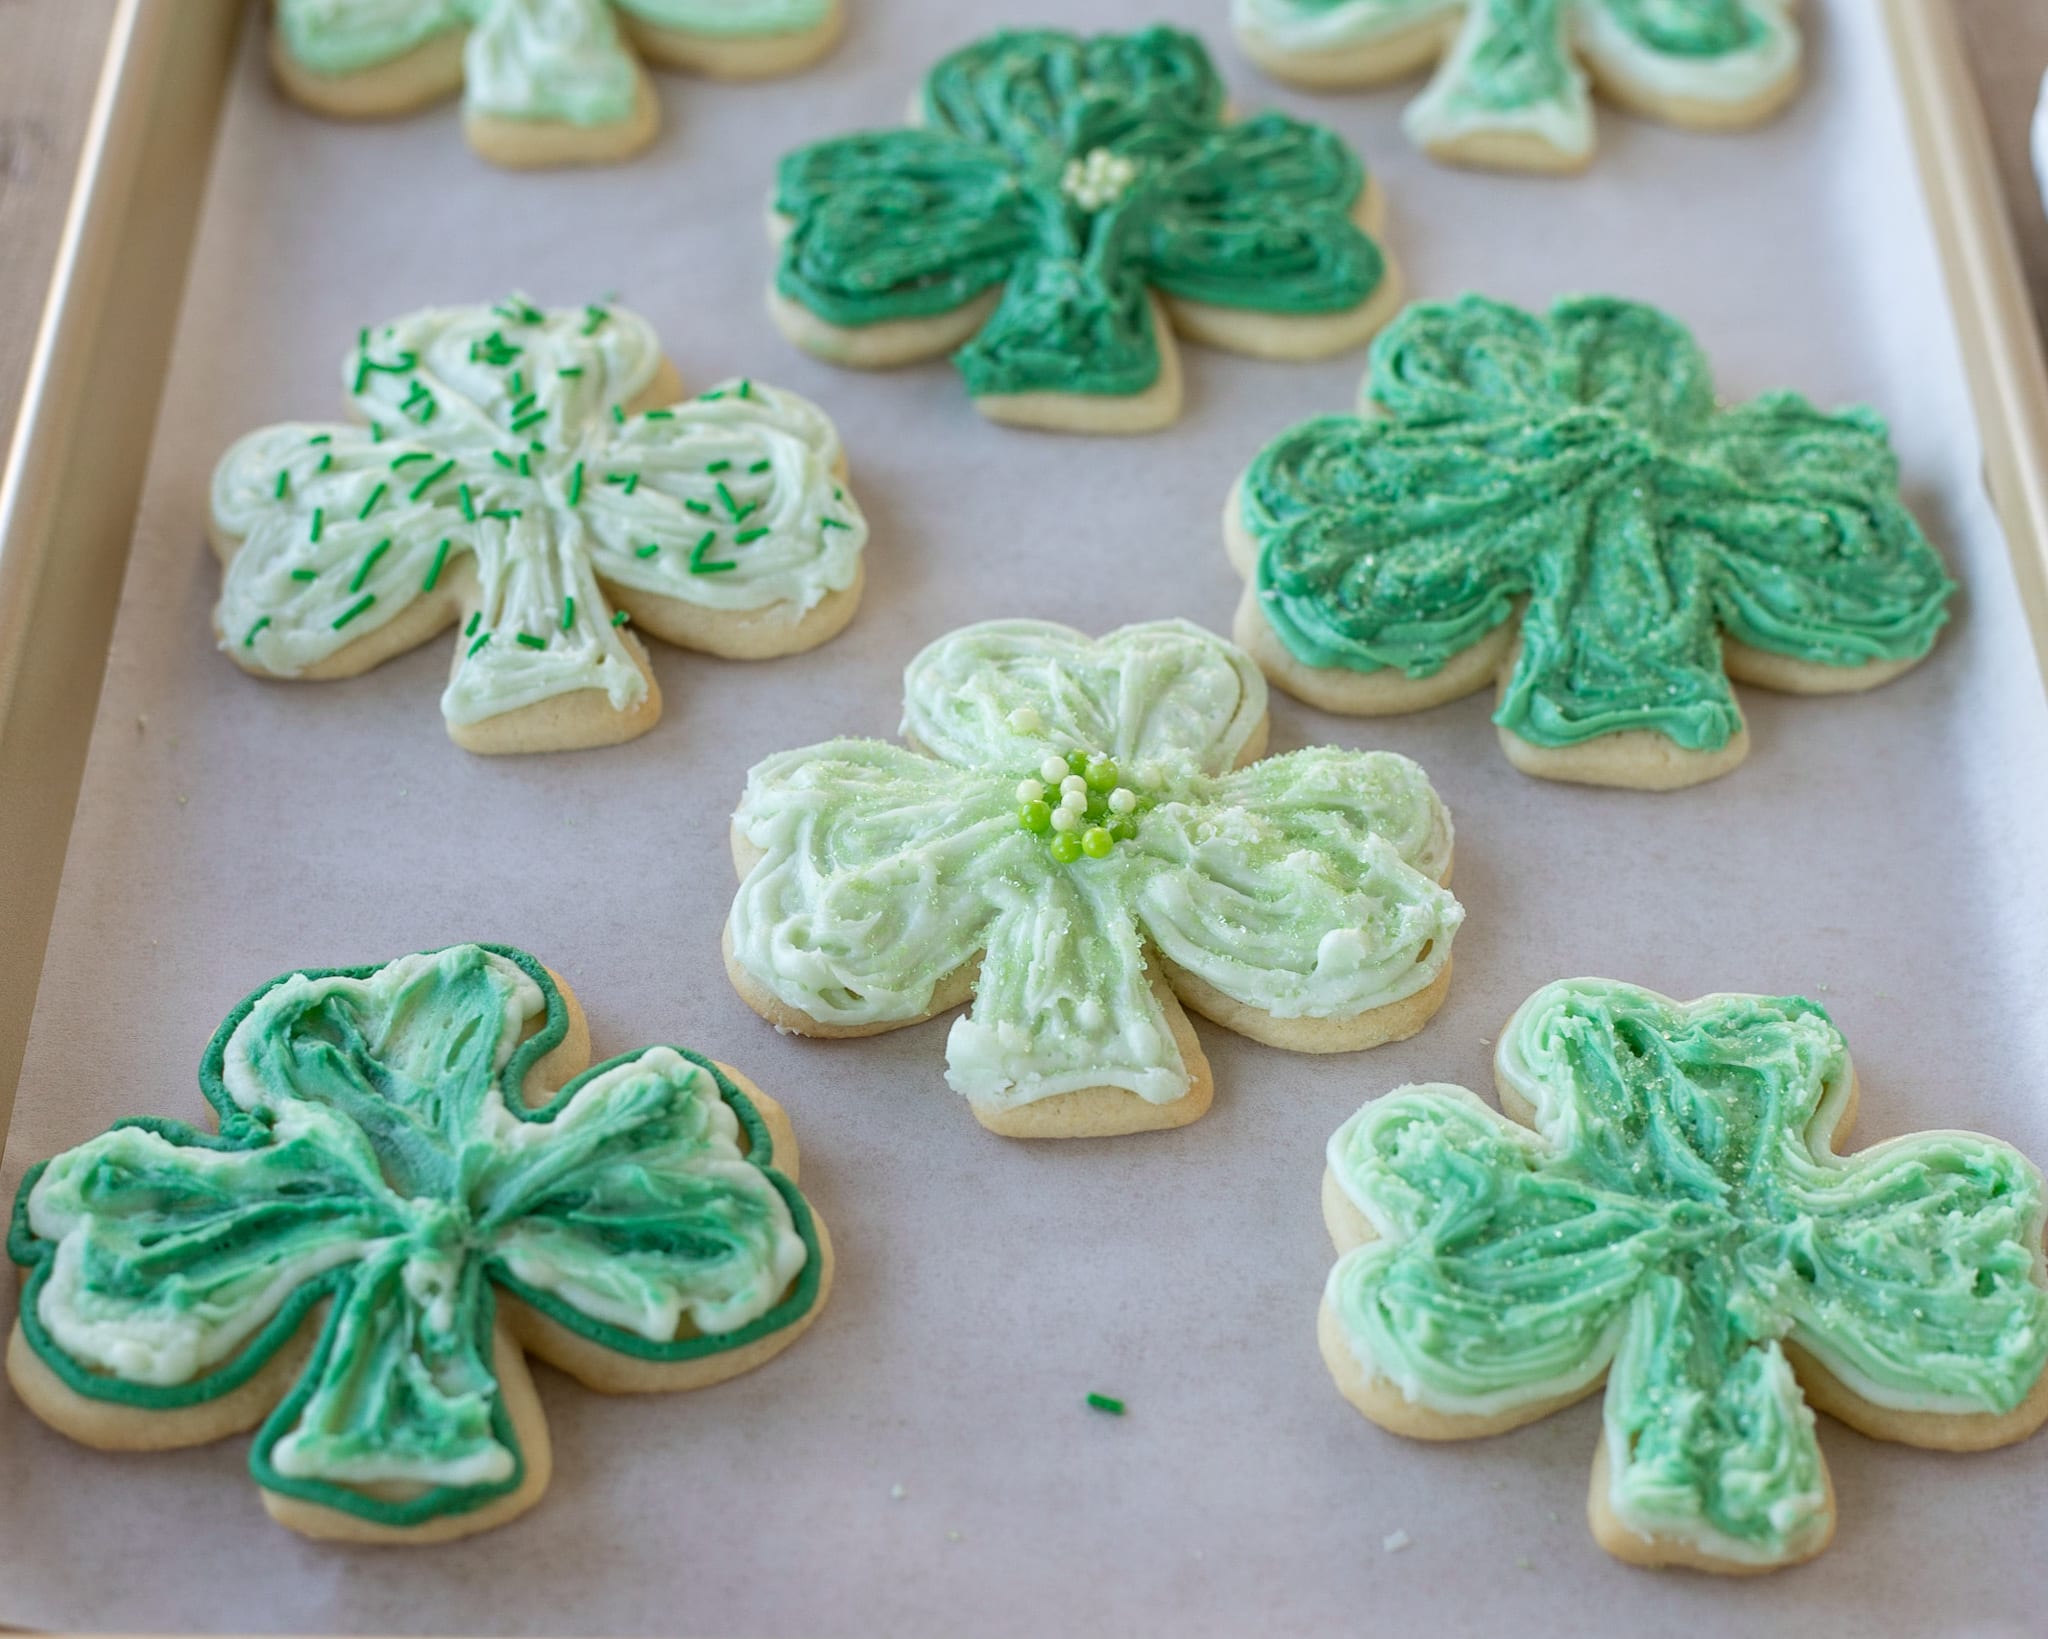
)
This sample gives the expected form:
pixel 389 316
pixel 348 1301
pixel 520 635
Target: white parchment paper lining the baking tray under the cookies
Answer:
pixel 1881 853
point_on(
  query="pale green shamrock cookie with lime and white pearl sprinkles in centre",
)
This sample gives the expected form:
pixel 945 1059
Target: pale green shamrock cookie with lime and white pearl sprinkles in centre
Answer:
pixel 1082 841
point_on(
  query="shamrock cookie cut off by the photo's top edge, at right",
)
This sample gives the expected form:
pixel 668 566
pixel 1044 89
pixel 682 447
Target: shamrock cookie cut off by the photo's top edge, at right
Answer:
pixel 1508 91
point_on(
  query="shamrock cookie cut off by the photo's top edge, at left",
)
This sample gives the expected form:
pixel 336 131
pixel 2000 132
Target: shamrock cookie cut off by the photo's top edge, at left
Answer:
pixel 544 83
